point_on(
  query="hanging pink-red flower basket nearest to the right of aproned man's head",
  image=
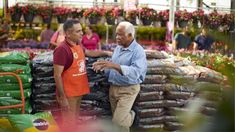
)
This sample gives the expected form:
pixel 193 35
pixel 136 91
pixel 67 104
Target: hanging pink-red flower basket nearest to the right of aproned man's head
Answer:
pixel 94 14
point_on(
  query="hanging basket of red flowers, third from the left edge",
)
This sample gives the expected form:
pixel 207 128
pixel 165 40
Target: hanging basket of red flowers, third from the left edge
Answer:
pixel 46 13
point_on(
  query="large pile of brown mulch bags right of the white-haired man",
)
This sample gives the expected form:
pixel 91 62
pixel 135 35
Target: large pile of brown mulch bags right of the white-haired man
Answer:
pixel 169 85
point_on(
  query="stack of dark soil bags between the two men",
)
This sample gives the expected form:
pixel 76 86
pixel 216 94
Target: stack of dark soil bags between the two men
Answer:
pixel 96 104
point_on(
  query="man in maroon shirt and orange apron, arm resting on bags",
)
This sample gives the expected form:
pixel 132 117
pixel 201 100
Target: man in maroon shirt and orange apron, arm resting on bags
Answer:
pixel 64 57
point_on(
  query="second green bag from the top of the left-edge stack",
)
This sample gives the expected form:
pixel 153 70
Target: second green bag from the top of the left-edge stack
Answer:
pixel 16 68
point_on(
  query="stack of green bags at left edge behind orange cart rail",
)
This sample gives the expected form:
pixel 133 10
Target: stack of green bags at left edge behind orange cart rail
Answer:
pixel 18 63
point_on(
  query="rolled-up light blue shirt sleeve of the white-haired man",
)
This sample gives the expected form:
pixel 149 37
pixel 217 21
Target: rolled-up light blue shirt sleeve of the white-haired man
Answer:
pixel 137 69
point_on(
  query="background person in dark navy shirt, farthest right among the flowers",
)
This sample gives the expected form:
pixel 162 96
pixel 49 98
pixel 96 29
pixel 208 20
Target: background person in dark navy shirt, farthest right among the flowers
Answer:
pixel 203 41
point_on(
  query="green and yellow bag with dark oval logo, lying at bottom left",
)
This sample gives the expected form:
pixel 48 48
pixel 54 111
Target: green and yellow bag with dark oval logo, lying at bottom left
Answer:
pixel 40 122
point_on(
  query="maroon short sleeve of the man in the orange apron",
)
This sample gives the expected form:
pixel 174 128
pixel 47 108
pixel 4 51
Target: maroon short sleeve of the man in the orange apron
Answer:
pixel 59 56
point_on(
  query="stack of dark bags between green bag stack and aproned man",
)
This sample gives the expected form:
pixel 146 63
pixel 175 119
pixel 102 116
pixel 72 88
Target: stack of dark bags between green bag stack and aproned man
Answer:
pixel 43 89
